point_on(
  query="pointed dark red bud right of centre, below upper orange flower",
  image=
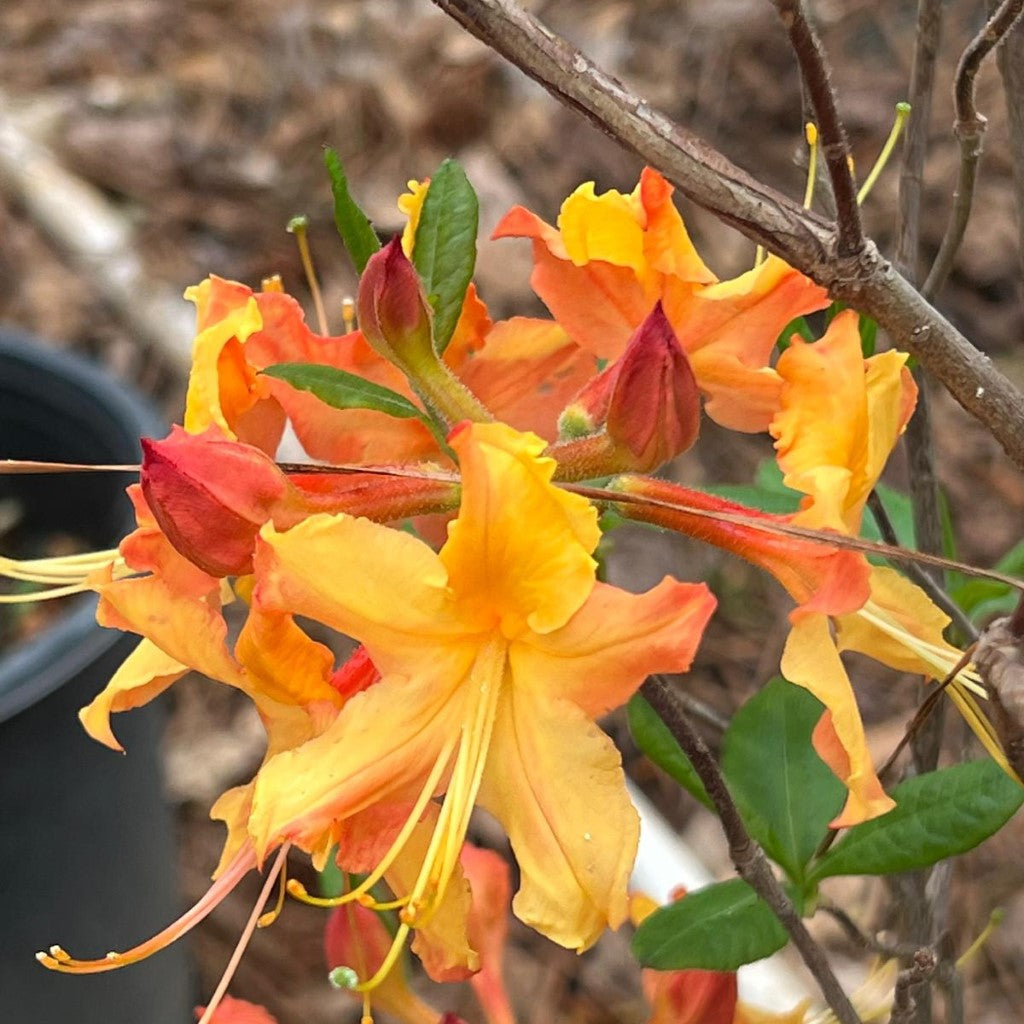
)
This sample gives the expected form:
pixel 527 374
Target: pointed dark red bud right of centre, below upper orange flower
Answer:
pixel 648 401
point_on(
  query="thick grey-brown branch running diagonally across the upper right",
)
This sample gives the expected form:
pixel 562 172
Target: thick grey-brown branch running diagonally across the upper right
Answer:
pixel 806 241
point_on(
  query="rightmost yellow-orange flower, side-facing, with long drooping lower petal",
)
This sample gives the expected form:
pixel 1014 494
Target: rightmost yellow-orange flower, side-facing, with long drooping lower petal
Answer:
pixel 840 418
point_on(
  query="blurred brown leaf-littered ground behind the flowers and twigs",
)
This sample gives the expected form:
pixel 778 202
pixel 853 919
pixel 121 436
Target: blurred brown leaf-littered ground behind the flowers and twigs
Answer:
pixel 146 144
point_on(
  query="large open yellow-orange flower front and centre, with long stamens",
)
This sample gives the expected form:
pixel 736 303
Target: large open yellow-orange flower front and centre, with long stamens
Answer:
pixel 496 655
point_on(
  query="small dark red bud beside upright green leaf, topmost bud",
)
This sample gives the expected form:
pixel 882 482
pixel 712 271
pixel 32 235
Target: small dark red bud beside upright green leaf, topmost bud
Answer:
pixel 395 315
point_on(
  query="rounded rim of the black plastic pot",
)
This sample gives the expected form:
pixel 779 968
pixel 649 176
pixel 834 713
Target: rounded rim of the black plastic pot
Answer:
pixel 35 668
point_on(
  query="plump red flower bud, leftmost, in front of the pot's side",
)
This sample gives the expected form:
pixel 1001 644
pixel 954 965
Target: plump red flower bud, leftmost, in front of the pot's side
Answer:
pixel 210 496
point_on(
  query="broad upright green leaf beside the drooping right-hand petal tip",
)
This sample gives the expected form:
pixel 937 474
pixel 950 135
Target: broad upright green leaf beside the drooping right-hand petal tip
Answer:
pixel 783 789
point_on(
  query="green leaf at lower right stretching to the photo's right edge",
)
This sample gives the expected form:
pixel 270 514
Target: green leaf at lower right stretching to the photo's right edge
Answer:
pixel 937 816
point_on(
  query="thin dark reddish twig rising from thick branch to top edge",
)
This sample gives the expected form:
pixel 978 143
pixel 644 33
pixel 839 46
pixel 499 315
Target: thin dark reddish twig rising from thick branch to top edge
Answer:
pixel 835 146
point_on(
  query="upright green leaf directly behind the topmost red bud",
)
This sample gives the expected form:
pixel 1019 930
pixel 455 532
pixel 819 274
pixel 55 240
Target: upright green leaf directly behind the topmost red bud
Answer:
pixel 445 252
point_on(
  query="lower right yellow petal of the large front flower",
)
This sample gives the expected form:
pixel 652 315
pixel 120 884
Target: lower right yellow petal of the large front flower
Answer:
pixel 556 782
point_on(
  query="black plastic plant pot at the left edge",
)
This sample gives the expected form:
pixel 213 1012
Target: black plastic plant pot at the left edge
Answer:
pixel 88 855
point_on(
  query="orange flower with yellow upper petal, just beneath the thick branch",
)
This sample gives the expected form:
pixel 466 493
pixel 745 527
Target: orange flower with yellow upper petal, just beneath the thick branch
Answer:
pixel 614 257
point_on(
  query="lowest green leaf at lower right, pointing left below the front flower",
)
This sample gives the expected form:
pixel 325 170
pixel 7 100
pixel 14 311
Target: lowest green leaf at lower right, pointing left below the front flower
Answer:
pixel 719 928
